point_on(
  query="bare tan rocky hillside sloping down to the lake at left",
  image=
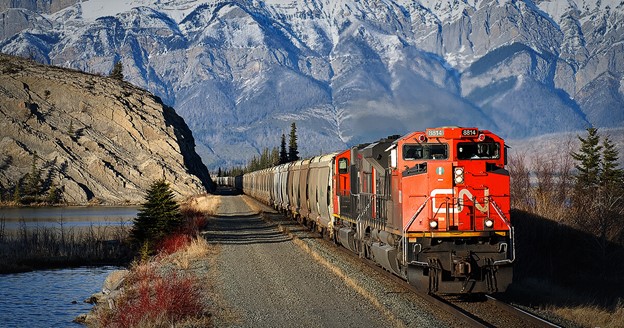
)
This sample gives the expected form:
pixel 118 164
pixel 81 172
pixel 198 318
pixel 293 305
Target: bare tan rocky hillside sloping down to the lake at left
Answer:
pixel 94 138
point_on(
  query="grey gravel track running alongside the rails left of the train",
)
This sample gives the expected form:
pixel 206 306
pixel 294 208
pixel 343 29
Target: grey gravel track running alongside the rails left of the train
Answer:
pixel 271 272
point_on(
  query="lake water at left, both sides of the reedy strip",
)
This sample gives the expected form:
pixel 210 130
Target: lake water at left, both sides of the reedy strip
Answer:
pixel 53 298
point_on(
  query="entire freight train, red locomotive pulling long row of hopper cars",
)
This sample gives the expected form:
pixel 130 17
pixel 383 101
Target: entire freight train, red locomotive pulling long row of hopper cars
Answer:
pixel 431 207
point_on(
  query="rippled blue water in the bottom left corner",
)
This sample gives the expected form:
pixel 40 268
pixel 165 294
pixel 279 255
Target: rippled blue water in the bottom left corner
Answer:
pixel 48 298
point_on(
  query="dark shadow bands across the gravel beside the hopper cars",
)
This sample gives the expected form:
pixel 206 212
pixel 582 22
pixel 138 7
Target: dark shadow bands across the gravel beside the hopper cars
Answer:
pixel 243 230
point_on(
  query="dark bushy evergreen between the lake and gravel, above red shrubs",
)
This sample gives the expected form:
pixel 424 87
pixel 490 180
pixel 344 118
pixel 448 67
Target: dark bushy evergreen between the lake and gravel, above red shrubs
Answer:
pixel 157 217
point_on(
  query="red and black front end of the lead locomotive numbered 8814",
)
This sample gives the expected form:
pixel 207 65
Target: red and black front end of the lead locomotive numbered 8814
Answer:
pixel 454 195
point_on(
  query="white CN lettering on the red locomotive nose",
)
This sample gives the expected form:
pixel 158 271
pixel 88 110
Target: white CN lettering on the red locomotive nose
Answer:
pixel 443 200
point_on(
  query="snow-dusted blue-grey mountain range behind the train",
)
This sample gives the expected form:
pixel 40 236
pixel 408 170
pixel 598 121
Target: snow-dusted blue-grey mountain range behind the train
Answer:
pixel 240 72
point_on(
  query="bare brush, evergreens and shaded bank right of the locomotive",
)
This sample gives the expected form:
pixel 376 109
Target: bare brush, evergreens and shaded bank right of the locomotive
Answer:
pixel 569 209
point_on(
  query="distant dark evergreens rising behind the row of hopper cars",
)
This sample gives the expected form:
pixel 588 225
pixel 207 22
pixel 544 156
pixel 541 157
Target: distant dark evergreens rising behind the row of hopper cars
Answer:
pixel 269 158
